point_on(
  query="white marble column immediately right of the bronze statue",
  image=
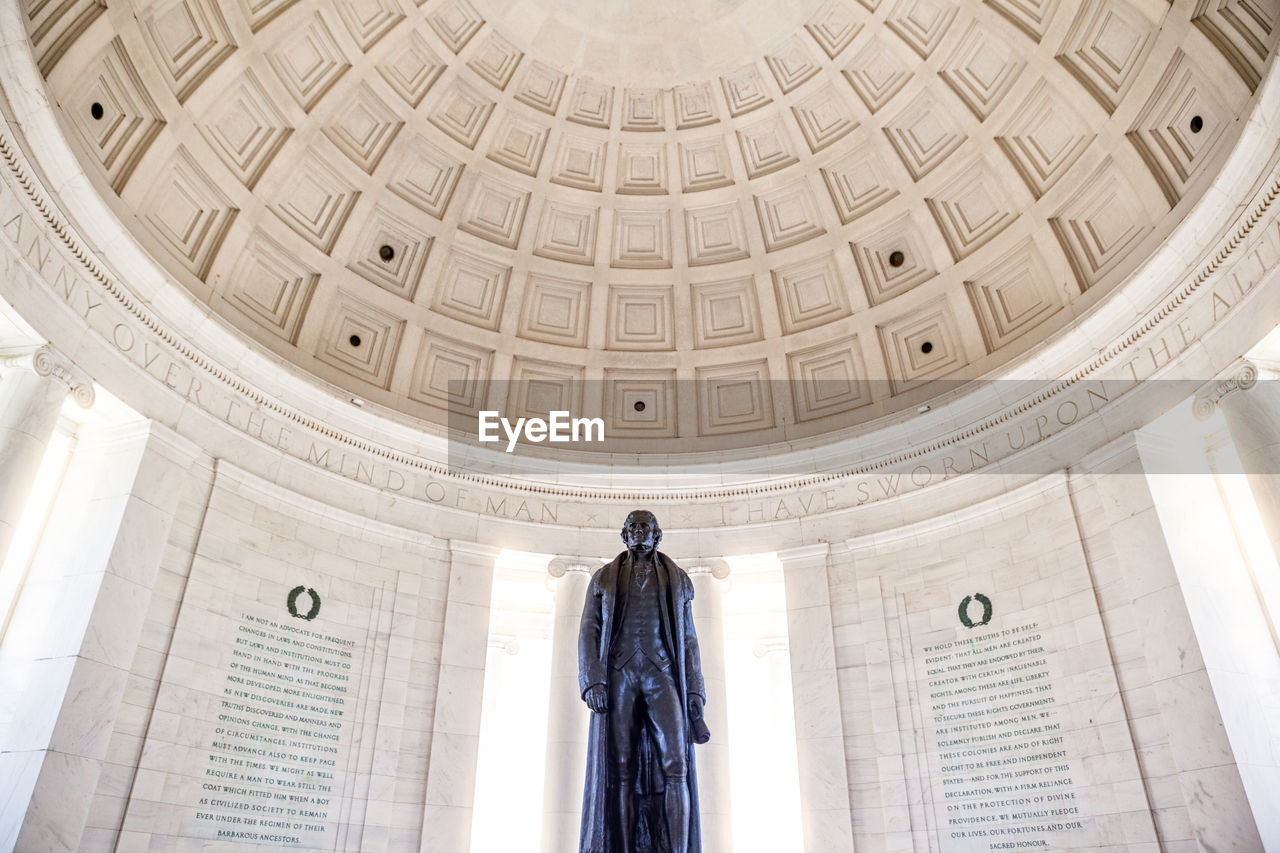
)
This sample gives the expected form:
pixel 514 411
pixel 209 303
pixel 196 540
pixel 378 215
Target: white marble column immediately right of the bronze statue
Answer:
pixel 714 779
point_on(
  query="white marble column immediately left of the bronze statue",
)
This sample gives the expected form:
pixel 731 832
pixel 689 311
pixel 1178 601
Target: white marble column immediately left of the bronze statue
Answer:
pixel 568 717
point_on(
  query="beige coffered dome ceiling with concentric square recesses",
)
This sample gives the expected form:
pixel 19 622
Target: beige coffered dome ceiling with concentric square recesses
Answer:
pixel 815 211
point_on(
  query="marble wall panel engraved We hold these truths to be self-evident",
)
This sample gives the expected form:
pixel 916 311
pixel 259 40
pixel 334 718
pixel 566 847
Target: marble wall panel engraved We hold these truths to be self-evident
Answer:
pixel 988 628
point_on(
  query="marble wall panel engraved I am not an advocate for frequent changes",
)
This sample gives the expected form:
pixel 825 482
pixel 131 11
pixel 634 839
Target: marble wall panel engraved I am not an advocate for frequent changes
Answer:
pixel 287 688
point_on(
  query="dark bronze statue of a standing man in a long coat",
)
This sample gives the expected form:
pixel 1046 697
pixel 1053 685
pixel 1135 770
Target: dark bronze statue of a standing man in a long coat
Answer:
pixel 641 676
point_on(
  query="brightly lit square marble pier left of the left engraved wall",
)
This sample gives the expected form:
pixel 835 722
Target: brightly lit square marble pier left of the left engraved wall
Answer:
pixel 84 609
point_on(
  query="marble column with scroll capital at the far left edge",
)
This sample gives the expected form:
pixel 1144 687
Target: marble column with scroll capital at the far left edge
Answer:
pixel 31 395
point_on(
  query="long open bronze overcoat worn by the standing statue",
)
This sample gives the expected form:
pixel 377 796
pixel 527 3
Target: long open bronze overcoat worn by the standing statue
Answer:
pixel 604 604
